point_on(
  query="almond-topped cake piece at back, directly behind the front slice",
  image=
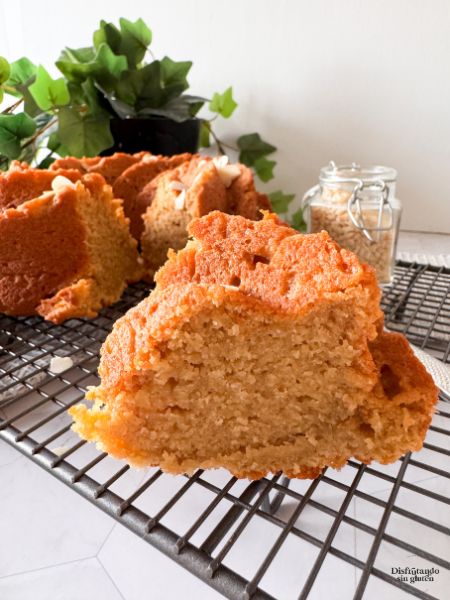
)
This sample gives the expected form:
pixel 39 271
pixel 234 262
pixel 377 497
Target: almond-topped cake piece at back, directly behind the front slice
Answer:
pixel 192 190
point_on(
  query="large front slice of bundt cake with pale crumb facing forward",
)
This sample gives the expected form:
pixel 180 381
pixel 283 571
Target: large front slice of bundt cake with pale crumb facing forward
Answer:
pixel 260 350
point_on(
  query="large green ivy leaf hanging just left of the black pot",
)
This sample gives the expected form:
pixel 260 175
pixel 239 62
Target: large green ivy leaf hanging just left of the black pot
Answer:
pixel 83 134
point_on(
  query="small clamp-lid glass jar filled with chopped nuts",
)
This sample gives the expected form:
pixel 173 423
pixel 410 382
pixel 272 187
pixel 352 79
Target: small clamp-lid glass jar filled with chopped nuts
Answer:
pixel 358 208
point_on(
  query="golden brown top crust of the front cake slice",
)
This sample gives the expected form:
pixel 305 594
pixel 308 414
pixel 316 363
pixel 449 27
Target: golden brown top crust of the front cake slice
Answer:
pixel 267 260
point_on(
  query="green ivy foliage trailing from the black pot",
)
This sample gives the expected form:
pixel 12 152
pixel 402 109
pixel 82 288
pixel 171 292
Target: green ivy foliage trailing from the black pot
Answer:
pixel 113 78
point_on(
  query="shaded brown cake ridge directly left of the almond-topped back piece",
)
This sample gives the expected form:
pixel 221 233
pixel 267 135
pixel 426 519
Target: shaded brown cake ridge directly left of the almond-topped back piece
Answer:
pixel 132 181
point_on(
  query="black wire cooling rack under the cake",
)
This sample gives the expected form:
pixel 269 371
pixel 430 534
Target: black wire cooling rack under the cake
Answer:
pixel 364 531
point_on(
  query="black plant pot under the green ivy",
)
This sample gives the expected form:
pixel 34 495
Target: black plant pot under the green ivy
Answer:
pixel 156 135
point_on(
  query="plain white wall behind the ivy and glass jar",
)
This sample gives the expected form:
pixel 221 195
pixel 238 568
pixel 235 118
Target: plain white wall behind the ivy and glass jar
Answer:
pixel 348 80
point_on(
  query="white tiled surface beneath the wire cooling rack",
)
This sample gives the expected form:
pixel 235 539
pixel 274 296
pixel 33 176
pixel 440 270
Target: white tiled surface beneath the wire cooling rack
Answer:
pixel 54 545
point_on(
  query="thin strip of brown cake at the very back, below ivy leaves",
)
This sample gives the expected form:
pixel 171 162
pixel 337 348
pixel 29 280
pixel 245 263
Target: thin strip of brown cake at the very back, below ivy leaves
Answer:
pixel 110 167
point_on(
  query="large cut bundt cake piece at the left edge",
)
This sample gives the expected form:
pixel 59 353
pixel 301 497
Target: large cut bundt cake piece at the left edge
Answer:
pixel 66 253
